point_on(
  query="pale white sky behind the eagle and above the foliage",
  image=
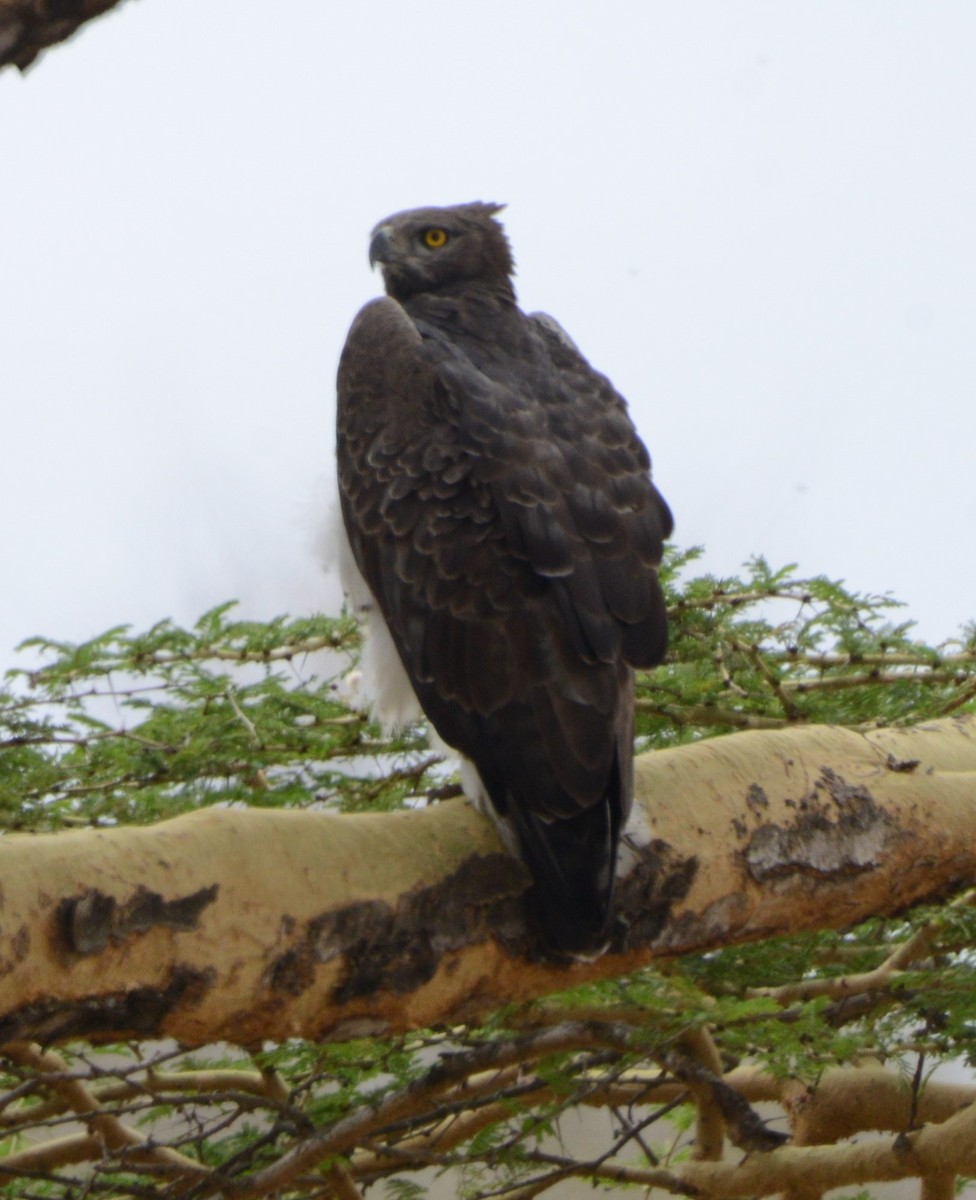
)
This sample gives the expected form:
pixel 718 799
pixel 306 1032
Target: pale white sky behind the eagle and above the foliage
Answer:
pixel 757 218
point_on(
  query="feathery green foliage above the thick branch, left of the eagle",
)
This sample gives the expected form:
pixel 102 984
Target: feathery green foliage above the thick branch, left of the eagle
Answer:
pixel 139 728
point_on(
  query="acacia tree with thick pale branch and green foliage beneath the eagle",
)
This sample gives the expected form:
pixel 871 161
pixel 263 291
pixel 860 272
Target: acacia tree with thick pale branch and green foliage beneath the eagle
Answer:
pixel 260 951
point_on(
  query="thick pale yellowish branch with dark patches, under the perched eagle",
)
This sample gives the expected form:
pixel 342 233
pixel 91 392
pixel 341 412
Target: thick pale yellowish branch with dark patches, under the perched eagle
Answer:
pixel 252 925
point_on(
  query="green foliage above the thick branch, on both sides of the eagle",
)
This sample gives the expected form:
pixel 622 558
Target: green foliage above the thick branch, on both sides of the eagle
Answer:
pixel 135 728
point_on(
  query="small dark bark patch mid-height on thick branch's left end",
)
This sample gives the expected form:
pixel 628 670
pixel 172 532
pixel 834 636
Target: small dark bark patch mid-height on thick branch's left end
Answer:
pixel 92 922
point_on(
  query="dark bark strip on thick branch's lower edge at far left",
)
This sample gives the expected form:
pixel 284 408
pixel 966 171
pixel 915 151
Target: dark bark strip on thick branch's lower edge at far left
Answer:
pixel 139 1012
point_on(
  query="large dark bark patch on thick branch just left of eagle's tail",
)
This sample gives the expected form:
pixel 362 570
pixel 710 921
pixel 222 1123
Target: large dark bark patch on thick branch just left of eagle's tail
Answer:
pixel 398 949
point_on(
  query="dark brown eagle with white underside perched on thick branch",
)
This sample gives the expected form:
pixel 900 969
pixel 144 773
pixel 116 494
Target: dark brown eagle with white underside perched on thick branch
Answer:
pixel 504 539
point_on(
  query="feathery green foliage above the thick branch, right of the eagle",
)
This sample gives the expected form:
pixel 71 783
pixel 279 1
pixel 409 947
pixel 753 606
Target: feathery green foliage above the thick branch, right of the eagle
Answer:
pixel 773 650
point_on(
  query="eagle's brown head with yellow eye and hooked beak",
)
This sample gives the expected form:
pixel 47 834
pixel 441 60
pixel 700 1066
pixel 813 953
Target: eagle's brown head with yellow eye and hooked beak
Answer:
pixel 427 250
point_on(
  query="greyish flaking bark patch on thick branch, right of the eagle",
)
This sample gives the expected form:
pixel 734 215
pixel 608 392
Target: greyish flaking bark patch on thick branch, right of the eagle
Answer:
pixel 840 832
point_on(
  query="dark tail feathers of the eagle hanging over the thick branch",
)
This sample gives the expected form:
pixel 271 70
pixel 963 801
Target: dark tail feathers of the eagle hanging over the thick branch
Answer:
pixel 572 862
